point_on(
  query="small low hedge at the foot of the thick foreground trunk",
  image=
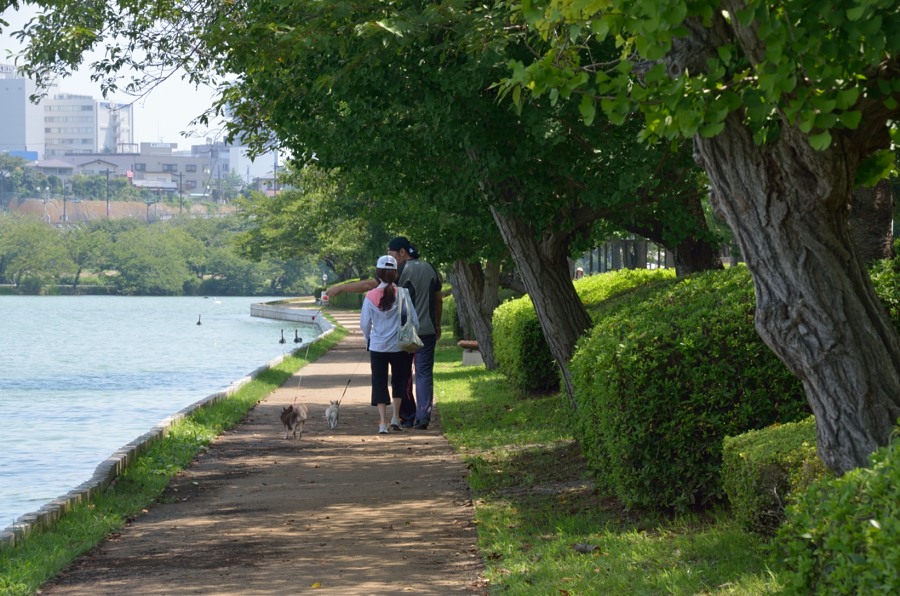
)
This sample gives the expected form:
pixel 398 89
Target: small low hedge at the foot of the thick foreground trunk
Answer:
pixel 765 470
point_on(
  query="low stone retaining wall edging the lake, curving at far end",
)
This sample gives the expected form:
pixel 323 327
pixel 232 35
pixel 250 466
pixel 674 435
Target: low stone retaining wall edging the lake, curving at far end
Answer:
pixel 110 469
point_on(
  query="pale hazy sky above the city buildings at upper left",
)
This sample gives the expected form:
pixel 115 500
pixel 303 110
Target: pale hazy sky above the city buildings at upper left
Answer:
pixel 158 117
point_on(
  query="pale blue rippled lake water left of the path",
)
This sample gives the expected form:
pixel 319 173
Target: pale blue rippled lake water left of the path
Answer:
pixel 81 376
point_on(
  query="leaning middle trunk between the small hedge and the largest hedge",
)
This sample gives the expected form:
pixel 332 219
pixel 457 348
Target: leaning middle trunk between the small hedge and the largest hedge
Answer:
pixel 543 265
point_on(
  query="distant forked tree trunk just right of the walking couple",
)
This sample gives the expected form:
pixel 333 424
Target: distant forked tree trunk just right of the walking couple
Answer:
pixel 478 297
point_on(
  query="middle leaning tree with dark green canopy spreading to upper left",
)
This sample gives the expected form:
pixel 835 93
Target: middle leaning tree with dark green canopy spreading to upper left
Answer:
pixel 400 97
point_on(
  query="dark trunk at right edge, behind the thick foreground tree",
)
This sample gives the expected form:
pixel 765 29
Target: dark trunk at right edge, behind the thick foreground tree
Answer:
pixel 872 222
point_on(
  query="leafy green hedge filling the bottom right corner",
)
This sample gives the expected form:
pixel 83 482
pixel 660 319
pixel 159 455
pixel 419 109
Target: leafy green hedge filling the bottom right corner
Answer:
pixel 843 535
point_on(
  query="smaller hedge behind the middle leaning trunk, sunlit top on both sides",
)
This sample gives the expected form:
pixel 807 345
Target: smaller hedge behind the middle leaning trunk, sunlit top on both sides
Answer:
pixel 522 353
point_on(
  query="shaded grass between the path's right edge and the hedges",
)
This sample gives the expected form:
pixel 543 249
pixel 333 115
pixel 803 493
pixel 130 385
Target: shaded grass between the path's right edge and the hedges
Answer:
pixel 542 526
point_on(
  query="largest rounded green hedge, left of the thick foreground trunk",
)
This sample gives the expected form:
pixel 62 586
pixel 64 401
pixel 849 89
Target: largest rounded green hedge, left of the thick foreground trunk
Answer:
pixel 666 373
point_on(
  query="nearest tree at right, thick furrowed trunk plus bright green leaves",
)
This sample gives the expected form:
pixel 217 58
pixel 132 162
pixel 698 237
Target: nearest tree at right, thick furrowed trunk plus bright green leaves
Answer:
pixel 789 104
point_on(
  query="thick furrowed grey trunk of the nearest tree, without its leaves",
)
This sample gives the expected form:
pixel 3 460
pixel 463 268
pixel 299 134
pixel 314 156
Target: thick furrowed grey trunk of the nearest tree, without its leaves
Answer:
pixel 787 205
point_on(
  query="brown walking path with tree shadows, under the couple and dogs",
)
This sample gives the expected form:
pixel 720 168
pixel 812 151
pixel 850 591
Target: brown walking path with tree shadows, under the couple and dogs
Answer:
pixel 338 512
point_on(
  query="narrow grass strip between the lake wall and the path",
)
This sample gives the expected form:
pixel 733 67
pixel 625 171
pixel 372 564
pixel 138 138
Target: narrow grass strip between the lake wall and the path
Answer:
pixel 44 553
